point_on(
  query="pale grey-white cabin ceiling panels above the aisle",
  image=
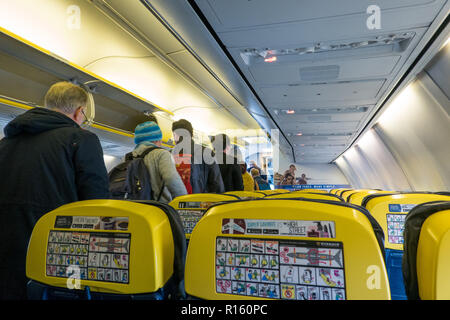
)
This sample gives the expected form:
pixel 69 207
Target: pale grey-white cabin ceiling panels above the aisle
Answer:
pixel 348 71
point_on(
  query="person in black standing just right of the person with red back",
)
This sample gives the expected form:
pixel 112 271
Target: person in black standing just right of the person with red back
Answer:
pixel 229 167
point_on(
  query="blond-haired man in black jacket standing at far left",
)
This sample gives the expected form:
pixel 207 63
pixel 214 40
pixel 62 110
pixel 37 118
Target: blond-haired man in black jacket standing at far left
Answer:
pixel 46 160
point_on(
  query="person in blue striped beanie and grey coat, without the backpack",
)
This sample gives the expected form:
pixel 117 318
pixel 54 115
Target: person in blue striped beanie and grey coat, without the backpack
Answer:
pixel 164 177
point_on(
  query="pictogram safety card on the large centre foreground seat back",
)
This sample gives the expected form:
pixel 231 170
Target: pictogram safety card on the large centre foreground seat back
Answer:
pixel 280 269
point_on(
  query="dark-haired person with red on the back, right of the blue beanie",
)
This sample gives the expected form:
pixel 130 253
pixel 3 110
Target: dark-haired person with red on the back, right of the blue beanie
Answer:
pixel 197 175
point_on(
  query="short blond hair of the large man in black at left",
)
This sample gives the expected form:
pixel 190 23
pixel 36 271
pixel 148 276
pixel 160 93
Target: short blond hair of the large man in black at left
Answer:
pixel 65 97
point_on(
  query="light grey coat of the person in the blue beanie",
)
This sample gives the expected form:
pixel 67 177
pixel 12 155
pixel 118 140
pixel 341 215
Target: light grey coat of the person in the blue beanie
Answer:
pixel 161 168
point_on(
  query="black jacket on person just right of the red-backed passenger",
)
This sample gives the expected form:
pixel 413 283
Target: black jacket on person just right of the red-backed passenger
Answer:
pixel 231 172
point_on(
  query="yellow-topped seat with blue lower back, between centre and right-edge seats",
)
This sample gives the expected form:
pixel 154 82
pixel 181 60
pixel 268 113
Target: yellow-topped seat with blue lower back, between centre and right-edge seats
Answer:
pixel 390 210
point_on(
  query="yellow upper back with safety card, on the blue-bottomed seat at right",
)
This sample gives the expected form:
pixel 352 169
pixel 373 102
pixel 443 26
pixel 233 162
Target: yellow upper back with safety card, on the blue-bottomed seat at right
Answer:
pixel 390 211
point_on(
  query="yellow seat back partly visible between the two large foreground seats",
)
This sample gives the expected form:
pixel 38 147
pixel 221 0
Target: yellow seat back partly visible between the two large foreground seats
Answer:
pixel 192 207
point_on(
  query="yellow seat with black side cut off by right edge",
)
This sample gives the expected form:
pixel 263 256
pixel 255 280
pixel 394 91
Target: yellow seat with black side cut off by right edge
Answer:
pixel 426 260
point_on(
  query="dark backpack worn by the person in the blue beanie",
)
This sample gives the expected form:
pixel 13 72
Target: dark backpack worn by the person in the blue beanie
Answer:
pixel 130 179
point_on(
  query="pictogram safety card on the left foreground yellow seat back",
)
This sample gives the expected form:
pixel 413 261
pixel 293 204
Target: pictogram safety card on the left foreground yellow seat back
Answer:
pixel 98 256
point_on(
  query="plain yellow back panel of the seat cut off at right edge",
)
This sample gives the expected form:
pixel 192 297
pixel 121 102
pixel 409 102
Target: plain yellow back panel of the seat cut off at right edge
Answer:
pixel 433 257
